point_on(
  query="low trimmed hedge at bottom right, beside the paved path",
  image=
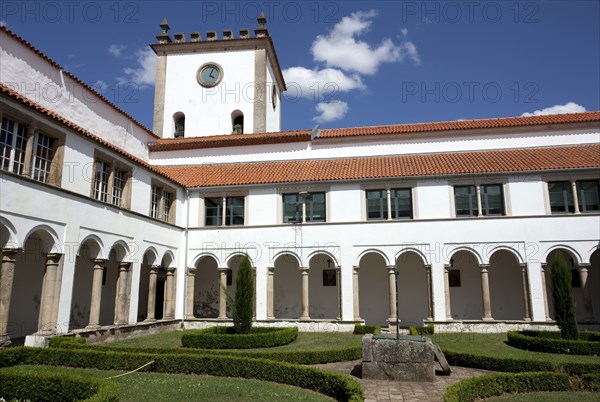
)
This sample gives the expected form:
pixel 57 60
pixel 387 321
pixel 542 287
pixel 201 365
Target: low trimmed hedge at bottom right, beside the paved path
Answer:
pixel 491 385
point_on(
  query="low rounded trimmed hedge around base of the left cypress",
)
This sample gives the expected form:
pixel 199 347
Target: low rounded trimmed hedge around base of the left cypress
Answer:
pixel 223 338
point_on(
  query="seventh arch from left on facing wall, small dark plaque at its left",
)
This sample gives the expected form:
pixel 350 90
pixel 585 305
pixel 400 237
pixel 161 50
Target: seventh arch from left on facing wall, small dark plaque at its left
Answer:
pixel 464 282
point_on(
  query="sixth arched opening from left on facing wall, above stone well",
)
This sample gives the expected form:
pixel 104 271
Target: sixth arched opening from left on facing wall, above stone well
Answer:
pixel 412 289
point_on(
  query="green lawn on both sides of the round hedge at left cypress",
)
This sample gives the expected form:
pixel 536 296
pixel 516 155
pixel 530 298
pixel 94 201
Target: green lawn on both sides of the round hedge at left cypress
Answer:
pixel 305 341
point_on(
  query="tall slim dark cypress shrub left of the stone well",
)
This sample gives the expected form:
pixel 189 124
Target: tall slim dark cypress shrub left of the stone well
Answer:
pixel 244 295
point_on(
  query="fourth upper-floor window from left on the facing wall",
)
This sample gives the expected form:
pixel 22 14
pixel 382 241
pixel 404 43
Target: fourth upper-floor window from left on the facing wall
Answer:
pixel 487 199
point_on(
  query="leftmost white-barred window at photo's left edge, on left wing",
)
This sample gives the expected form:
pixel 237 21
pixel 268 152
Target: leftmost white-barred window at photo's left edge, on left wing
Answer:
pixel 13 141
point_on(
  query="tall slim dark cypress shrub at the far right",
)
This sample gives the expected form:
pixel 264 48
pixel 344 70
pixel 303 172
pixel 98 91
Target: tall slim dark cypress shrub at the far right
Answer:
pixel 562 294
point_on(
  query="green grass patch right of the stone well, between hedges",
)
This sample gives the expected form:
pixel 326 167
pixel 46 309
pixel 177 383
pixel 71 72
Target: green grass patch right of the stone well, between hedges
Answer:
pixel 493 345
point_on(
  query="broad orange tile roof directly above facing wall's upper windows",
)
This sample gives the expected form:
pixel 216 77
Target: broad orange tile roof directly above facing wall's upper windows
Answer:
pixel 440 164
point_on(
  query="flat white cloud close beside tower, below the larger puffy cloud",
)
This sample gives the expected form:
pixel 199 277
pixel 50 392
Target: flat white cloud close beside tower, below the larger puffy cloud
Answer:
pixel 319 84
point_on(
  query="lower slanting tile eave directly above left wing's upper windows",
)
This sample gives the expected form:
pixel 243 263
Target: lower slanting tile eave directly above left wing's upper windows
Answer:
pixel 4 90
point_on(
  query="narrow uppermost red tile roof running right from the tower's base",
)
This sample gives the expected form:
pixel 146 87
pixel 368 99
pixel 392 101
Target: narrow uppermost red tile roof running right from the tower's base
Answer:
pixel 170 144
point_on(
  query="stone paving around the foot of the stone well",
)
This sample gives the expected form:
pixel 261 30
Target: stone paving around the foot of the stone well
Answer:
pixel 384 391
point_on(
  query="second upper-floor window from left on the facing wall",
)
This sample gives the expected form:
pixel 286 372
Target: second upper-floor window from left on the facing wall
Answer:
pixel 304 207
